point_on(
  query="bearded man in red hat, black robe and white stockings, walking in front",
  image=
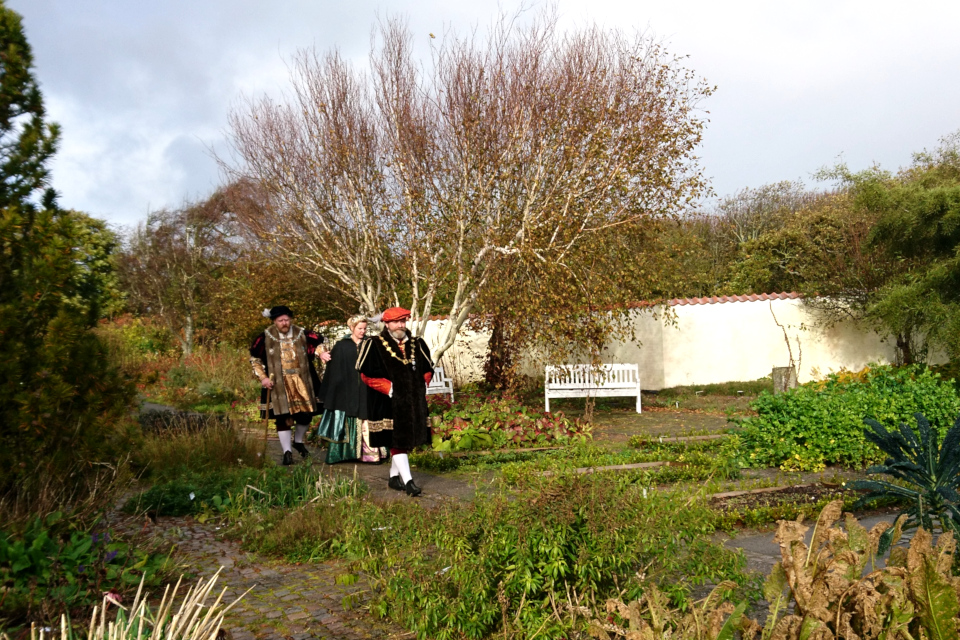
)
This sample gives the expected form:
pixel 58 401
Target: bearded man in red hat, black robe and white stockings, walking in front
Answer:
pixel 397 367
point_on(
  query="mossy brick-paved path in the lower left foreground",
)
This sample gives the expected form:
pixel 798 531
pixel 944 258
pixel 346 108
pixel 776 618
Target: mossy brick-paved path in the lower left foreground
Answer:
pixel 288 601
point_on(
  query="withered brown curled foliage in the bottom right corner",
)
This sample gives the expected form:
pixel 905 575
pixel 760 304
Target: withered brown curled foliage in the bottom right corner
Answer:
pixel 828 589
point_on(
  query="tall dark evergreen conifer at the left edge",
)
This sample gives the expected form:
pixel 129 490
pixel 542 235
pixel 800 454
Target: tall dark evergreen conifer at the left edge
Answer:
pixel 57 390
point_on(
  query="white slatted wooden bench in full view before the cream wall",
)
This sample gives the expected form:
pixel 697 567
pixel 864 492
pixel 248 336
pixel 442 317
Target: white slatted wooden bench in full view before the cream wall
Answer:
pixel 583 380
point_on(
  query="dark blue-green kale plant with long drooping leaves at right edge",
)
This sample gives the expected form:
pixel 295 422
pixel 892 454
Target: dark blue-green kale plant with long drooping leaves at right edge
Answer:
pixel 929 474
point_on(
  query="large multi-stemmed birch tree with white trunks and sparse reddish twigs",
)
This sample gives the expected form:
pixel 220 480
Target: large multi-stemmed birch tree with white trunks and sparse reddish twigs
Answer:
pixel 411 184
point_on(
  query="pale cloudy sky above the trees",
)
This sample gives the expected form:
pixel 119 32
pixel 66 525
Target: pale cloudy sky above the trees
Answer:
pixel 143 89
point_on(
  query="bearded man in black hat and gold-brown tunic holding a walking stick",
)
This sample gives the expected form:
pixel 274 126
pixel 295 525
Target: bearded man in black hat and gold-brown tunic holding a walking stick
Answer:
pixel 282 360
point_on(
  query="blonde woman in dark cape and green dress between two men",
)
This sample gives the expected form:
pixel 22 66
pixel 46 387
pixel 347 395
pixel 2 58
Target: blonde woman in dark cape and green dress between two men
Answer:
pixel 345 398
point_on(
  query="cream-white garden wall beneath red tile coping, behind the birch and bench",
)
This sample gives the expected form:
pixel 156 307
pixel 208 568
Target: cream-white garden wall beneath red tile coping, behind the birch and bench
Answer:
pixel 698 342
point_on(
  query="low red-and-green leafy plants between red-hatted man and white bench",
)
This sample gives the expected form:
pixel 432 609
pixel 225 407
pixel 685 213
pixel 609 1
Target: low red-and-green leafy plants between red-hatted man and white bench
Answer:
pixel 477 421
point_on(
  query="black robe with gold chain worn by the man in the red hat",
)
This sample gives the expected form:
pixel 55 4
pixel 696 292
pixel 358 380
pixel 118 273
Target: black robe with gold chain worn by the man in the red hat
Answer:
pixel 400 422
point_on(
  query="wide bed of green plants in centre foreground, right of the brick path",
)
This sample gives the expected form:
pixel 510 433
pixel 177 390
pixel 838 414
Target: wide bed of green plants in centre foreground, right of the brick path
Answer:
pixel 471 569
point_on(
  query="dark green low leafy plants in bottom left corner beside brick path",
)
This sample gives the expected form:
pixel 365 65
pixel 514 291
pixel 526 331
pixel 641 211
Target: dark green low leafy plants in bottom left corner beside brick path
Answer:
pixel 51 567
